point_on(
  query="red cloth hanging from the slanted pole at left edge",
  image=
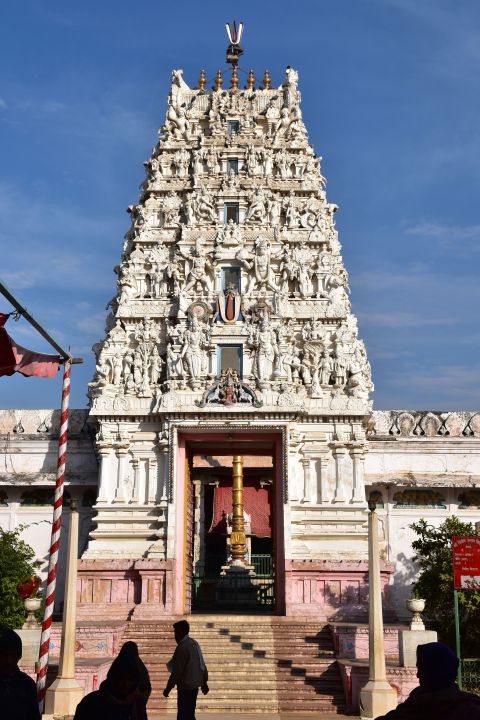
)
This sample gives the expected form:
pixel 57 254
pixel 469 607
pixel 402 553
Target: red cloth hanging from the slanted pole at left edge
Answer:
pixel 15 358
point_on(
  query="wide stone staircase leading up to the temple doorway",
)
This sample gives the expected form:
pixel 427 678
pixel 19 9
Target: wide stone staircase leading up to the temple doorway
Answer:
pixel 256 664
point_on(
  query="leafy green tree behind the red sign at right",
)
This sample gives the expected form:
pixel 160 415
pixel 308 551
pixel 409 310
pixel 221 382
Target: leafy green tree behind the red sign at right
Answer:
pixel 434 556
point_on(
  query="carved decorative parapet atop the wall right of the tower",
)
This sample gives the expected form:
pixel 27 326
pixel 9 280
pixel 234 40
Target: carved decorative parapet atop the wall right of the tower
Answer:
pixel 422 423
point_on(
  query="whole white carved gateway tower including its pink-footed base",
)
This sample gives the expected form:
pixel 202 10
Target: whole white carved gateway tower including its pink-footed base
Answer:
pixel 230 333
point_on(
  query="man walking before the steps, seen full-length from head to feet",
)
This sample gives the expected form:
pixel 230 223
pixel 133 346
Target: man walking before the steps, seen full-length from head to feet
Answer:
pixel 187 671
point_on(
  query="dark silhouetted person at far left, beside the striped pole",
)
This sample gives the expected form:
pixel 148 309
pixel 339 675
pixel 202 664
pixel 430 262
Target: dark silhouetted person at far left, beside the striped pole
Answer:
pixel 18 693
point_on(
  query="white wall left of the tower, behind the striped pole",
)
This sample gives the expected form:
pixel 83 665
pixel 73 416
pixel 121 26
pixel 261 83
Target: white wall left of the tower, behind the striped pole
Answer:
pixel 28 459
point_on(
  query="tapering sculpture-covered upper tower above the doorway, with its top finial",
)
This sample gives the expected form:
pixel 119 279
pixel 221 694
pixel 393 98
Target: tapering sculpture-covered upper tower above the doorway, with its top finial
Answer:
pixel 232 293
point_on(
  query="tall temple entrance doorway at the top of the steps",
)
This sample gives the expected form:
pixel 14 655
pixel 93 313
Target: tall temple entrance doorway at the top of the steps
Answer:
pixel 210 525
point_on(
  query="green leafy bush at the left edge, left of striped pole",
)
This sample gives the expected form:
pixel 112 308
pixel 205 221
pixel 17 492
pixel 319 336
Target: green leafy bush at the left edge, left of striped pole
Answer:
pixel 16 565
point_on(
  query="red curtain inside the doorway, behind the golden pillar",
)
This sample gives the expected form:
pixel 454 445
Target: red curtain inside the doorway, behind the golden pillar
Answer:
pixel 257 503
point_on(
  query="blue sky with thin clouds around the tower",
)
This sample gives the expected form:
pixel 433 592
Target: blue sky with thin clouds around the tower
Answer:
pixel 391 100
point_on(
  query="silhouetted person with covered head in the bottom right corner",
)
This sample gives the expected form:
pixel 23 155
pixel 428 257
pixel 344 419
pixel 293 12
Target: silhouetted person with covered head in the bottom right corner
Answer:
pixel 438 696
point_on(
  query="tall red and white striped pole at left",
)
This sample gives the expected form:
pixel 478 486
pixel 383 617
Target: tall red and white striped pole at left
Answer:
pixel 42 666
